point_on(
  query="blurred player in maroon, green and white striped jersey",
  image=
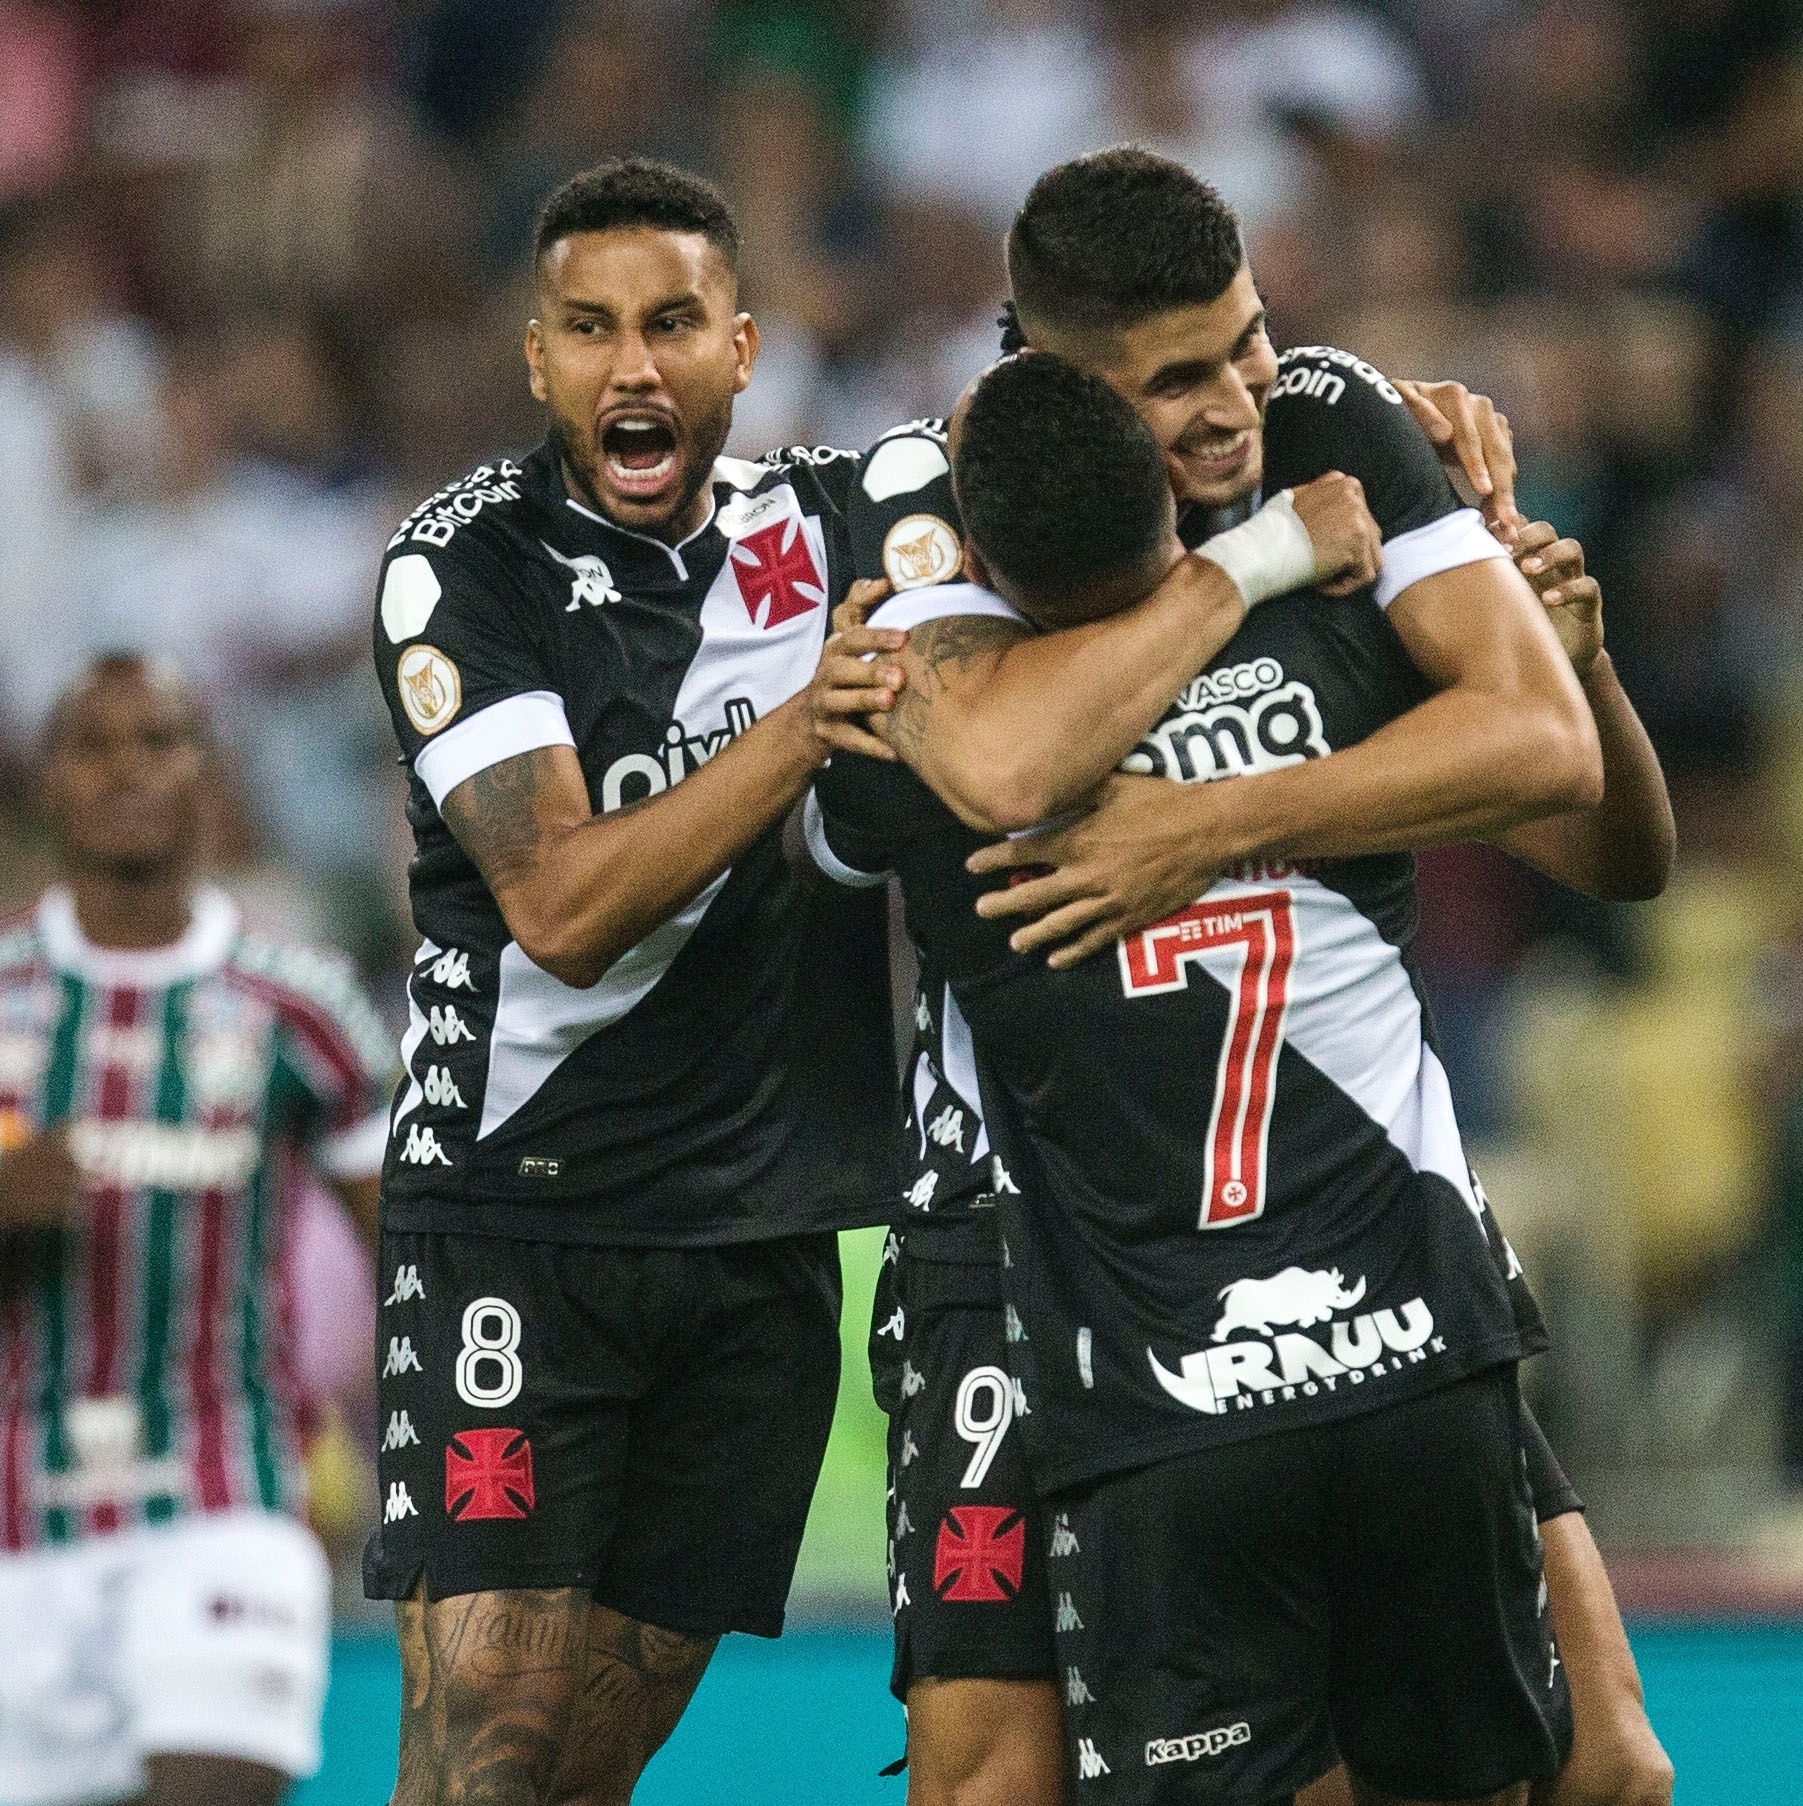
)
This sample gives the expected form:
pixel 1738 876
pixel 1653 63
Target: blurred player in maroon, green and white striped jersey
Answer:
pixel 165 1077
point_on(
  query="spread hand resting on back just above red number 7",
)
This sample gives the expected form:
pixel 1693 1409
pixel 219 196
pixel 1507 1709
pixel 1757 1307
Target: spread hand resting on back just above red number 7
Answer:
pixel 1116 871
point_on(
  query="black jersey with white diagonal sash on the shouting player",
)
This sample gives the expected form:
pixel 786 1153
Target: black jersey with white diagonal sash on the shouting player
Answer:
pixel 720 1081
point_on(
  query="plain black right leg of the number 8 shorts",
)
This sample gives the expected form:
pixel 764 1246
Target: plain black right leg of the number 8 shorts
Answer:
pixel 725 1446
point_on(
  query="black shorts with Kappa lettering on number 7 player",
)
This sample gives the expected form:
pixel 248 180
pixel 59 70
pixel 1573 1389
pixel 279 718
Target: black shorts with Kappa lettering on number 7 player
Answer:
pixel 1233 1621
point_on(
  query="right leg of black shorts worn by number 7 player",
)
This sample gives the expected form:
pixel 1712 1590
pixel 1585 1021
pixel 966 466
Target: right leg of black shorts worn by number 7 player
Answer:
pixel 1446 1684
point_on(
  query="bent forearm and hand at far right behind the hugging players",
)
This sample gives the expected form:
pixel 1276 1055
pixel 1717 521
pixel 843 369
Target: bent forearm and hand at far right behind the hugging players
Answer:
pixel 1623 848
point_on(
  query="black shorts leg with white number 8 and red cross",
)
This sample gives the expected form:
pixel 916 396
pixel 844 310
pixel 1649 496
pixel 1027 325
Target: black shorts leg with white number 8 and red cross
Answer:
pixel 507 1382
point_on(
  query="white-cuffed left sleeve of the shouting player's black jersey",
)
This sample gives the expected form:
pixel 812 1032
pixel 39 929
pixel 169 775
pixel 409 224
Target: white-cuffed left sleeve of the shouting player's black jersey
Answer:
pixel 462 658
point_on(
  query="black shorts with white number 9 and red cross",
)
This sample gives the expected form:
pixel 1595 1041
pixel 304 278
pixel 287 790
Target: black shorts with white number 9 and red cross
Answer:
pixel 967 1540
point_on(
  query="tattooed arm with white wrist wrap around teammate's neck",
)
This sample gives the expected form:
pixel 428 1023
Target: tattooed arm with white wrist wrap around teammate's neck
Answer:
pixel 1013 727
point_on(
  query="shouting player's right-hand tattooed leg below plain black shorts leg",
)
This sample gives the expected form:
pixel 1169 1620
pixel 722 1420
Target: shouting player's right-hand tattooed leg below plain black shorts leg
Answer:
pixel 637 1680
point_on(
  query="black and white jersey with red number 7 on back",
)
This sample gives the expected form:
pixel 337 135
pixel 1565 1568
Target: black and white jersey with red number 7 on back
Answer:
pixel 1231 1184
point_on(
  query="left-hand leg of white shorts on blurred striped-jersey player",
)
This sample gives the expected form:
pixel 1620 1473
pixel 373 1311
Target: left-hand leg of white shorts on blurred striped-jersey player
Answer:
pixel 66 1715
